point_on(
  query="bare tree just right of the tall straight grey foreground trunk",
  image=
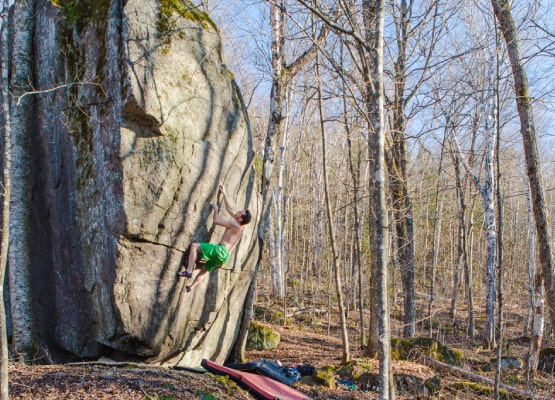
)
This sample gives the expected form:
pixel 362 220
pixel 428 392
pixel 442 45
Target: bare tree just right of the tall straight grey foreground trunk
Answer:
pixel 410 34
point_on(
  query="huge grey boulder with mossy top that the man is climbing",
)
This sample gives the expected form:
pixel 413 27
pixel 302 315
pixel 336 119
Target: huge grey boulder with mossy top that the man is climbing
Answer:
pixel 127 154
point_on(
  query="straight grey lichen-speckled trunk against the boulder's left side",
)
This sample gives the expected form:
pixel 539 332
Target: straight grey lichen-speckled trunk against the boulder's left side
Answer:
pixel 19 262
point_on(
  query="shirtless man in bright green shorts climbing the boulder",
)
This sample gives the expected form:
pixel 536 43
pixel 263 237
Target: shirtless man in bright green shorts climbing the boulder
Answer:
pixel 216 254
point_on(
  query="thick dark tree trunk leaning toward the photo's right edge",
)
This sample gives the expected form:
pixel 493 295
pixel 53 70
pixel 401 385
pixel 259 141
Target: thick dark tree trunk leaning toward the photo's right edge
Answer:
pixel 529 140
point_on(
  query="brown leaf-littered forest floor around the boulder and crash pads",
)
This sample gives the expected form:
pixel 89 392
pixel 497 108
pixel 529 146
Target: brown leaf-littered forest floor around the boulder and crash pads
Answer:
pixel 301 343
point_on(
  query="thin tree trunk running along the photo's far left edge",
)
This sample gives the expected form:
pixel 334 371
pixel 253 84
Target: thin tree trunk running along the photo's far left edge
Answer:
pixel 6 181
